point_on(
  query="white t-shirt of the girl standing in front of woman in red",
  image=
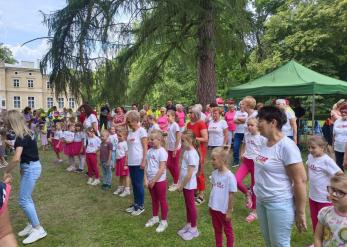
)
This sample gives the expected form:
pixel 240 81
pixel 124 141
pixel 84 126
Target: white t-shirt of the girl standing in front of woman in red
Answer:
pixel 190 158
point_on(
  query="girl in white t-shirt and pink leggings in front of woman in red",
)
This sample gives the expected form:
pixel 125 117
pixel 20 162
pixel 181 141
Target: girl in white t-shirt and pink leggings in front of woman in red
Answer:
pixel 188 184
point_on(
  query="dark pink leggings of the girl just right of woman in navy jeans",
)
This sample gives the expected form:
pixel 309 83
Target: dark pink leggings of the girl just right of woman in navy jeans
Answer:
pixel 158 195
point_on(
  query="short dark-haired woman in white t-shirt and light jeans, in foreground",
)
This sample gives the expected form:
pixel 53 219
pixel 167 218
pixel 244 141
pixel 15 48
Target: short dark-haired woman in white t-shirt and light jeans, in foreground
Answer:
pixel 280 181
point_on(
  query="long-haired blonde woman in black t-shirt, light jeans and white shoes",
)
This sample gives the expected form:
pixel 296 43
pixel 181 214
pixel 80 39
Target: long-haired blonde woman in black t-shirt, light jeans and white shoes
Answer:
pixel 27 155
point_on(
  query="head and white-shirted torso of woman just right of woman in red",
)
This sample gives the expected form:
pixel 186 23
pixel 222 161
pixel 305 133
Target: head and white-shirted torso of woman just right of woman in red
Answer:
pixel 218 134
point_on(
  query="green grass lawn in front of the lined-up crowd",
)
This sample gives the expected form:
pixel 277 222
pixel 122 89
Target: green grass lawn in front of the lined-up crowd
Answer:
pixel 75 214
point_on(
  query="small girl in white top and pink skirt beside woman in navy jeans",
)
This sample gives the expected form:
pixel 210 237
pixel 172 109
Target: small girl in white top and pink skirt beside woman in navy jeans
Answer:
pixel 122 170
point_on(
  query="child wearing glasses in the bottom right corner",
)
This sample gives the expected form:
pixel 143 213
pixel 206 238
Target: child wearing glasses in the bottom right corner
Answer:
pixel 332 220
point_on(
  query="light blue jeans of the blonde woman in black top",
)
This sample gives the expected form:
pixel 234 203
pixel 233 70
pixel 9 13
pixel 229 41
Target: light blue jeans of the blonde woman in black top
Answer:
pixel 30 174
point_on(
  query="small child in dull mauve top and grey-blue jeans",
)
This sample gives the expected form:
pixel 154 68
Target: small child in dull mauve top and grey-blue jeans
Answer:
pixel 105 159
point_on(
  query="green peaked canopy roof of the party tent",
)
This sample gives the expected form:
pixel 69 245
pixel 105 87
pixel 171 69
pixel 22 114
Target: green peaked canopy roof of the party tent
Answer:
pixel 290 79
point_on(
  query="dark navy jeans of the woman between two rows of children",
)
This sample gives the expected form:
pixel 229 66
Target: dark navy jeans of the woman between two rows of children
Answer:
pixel 136 175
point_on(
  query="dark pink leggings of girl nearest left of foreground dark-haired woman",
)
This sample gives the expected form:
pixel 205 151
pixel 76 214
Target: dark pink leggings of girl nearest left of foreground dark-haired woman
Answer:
pixel 219 223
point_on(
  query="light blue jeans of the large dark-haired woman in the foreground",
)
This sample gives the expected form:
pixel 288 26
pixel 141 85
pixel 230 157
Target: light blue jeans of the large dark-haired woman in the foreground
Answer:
pixel 276 222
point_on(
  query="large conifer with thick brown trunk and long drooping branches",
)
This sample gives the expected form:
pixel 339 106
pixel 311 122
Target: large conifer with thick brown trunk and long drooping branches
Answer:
pixel 86 34
